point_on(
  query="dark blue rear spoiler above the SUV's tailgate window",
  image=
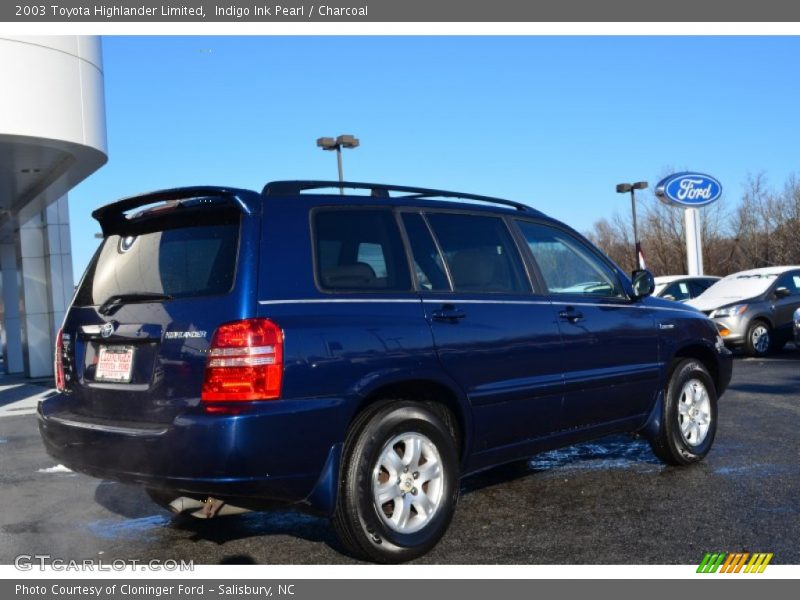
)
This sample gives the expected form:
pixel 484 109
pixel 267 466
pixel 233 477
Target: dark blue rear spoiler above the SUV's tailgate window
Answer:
pixel 113 218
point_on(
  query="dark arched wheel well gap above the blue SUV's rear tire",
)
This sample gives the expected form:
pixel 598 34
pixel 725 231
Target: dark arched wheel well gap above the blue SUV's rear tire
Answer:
pixel 438 396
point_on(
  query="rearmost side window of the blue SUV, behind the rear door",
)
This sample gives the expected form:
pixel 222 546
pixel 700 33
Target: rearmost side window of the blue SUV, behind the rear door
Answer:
pixel 359 250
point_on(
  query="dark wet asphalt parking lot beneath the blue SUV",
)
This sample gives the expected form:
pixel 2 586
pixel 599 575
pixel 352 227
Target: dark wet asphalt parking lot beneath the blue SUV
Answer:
pixel 608 502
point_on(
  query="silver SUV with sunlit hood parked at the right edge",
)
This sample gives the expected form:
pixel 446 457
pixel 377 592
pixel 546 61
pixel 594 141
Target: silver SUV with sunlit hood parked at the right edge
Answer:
pixel 753 309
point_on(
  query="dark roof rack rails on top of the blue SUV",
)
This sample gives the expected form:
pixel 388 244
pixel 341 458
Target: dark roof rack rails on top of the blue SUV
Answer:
pixel 381 190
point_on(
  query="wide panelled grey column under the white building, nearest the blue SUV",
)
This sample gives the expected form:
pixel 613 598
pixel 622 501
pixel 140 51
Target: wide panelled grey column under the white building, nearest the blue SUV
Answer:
pixel 45 265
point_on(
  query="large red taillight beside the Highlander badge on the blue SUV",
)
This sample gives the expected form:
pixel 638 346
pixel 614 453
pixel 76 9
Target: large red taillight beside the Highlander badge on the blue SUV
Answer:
pixel 245 362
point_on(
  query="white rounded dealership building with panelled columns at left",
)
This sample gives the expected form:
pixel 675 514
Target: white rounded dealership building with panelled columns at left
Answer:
pixel 52 136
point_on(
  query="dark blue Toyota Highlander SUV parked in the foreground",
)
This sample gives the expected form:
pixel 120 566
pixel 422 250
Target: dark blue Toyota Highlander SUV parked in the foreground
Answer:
pixel 356 354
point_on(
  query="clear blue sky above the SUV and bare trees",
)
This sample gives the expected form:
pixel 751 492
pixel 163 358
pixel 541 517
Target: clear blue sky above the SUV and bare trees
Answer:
pixel 554 122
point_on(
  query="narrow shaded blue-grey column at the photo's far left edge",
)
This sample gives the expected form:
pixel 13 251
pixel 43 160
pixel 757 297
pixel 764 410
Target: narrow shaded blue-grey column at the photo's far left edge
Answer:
pixel 11 335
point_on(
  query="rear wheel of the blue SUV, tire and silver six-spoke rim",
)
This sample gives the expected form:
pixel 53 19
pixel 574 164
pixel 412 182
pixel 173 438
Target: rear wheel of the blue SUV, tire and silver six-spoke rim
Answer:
pixel 385 456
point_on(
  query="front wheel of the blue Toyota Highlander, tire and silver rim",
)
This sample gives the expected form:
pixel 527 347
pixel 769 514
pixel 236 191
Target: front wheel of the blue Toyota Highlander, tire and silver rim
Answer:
pixel 689 418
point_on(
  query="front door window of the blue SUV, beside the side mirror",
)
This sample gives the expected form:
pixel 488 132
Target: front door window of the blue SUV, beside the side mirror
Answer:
pixel 567 264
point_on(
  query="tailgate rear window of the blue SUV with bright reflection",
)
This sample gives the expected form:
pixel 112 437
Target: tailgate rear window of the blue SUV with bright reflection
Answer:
pixel 179 262
